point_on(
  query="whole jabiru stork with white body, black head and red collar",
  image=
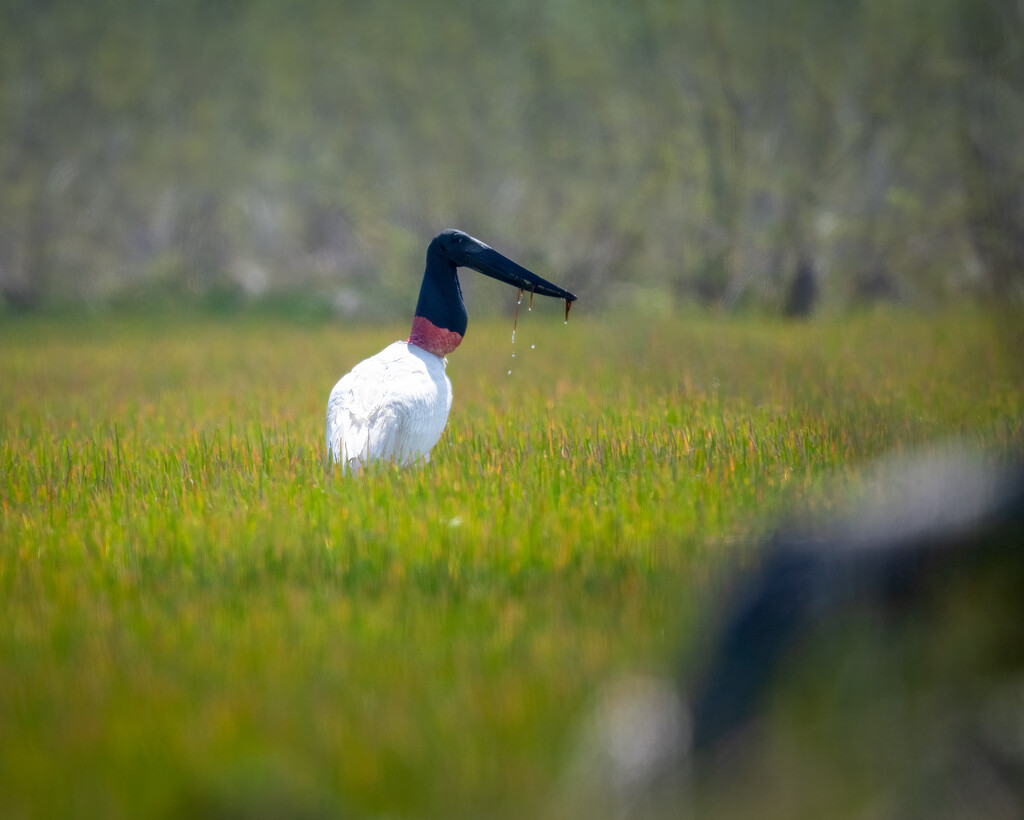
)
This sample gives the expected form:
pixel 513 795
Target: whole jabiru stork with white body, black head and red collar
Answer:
pixel 394 407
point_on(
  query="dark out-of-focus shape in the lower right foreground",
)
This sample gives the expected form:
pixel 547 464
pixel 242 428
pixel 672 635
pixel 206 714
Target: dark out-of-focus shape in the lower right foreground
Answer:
pixel 872 667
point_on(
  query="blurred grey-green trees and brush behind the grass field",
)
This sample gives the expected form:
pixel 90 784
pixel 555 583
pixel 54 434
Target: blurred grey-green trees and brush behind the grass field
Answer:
pixel 780 156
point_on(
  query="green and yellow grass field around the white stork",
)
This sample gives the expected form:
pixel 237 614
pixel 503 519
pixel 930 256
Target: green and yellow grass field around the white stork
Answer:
pixel 199 620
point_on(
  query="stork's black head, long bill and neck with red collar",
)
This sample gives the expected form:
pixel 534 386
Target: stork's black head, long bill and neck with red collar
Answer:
pixel 441 315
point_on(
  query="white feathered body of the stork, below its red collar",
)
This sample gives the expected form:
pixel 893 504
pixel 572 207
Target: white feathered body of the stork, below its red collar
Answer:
pixel 392 407
